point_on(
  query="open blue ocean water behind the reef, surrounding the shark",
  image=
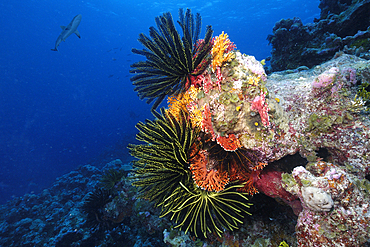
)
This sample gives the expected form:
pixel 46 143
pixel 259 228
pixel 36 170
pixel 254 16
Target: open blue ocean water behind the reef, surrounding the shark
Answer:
pixel 59 110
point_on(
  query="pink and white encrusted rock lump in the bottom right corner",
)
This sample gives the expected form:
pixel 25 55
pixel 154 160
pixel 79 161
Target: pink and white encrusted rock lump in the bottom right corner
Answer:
pixel 335 211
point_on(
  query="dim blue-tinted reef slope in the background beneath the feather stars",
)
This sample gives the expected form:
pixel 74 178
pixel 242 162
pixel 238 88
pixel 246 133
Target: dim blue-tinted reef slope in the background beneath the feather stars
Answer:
pixel 55 218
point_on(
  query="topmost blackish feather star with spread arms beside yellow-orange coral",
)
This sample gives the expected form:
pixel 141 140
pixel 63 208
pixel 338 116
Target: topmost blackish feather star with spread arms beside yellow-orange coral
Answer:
pixel 171 60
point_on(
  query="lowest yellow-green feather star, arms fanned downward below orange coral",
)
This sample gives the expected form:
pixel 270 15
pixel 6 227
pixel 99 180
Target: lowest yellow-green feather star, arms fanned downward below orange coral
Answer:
pixel 201 211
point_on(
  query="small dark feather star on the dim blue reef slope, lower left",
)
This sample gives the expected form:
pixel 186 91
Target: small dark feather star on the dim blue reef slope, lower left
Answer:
pixel 93 207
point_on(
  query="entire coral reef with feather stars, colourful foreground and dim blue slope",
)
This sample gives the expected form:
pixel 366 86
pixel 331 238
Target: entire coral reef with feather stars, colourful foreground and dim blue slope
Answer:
pixel 294 143
